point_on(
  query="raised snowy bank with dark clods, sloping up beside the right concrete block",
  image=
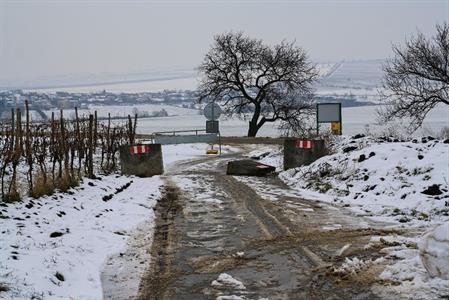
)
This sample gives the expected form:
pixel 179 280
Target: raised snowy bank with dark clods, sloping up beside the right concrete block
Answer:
pixel 395 181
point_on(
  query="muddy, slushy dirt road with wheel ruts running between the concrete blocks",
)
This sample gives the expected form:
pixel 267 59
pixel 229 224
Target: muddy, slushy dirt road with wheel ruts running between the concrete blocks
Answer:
pixel 226 237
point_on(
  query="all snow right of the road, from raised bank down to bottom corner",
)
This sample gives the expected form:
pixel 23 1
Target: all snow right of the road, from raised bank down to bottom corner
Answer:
pixel 405 186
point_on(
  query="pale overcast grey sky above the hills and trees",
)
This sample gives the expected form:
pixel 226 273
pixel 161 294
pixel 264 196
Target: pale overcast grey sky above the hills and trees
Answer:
pixel 48 38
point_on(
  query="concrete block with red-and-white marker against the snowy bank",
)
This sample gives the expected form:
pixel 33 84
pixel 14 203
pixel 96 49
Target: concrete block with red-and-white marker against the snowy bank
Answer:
pixel 301 152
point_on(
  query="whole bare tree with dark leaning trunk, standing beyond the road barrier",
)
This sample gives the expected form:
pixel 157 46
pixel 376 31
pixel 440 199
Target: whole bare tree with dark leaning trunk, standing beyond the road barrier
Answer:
pixel 247 76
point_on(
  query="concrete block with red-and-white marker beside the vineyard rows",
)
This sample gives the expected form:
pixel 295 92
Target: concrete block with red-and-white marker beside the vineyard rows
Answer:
pixel 142 160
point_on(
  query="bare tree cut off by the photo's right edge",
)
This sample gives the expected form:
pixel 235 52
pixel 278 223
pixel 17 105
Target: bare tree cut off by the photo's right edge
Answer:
pixel 417 78
